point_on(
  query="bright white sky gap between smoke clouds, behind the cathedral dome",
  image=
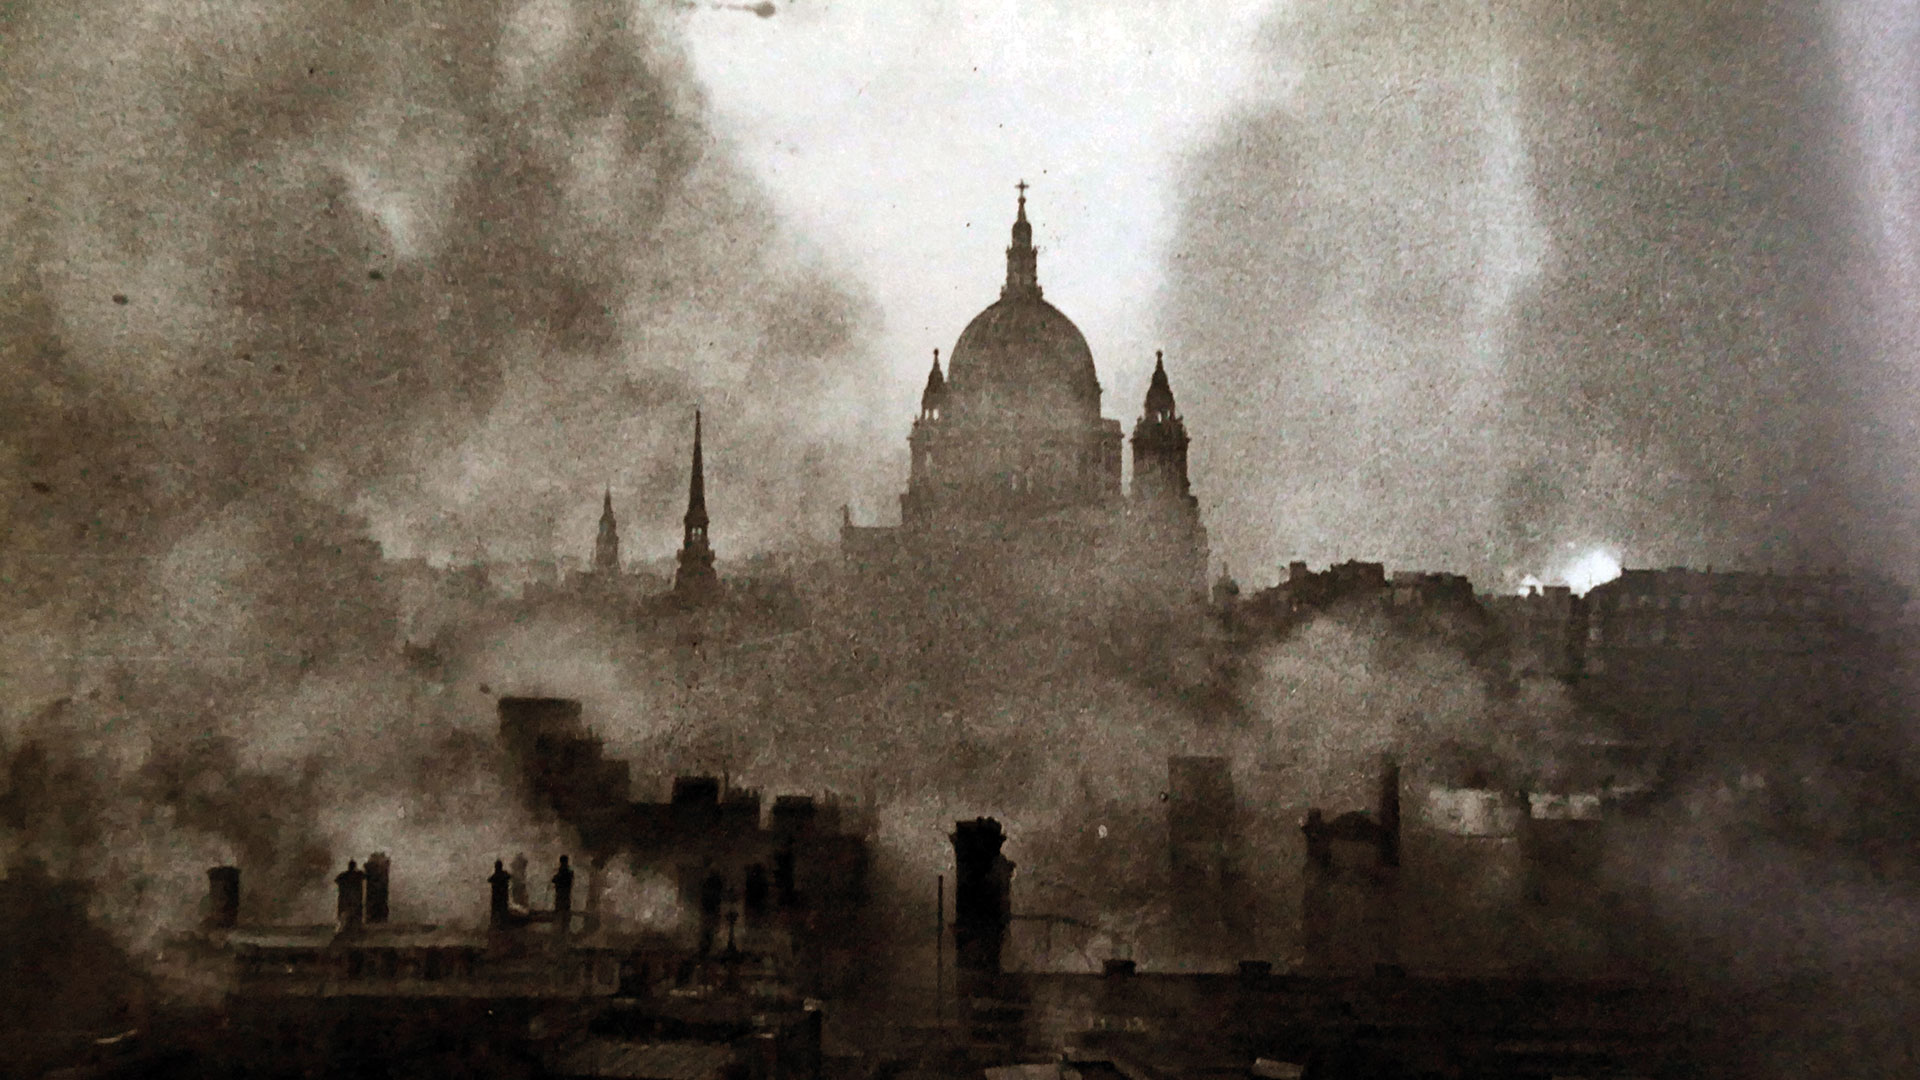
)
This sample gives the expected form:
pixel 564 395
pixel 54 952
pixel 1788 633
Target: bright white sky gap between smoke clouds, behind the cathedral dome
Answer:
pixel 894 134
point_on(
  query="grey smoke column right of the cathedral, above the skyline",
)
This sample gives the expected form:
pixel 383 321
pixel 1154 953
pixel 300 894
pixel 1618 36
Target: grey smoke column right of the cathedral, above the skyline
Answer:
pixel 1483 287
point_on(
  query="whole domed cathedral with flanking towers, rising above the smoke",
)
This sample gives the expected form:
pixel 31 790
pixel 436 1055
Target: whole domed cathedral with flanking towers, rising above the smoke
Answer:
pixel 1015 464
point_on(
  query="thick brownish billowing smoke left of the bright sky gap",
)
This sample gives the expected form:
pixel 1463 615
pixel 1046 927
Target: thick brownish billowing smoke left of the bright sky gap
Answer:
pixel 279 282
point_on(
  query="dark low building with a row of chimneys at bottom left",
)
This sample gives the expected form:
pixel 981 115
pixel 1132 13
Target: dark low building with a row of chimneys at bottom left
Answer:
pixel 368 996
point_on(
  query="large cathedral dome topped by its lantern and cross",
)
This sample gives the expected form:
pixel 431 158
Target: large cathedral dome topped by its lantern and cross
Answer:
pixel 1022 358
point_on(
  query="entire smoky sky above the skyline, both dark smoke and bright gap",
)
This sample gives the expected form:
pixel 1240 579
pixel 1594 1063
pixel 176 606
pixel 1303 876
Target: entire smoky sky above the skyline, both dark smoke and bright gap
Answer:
pixel 1472 287
